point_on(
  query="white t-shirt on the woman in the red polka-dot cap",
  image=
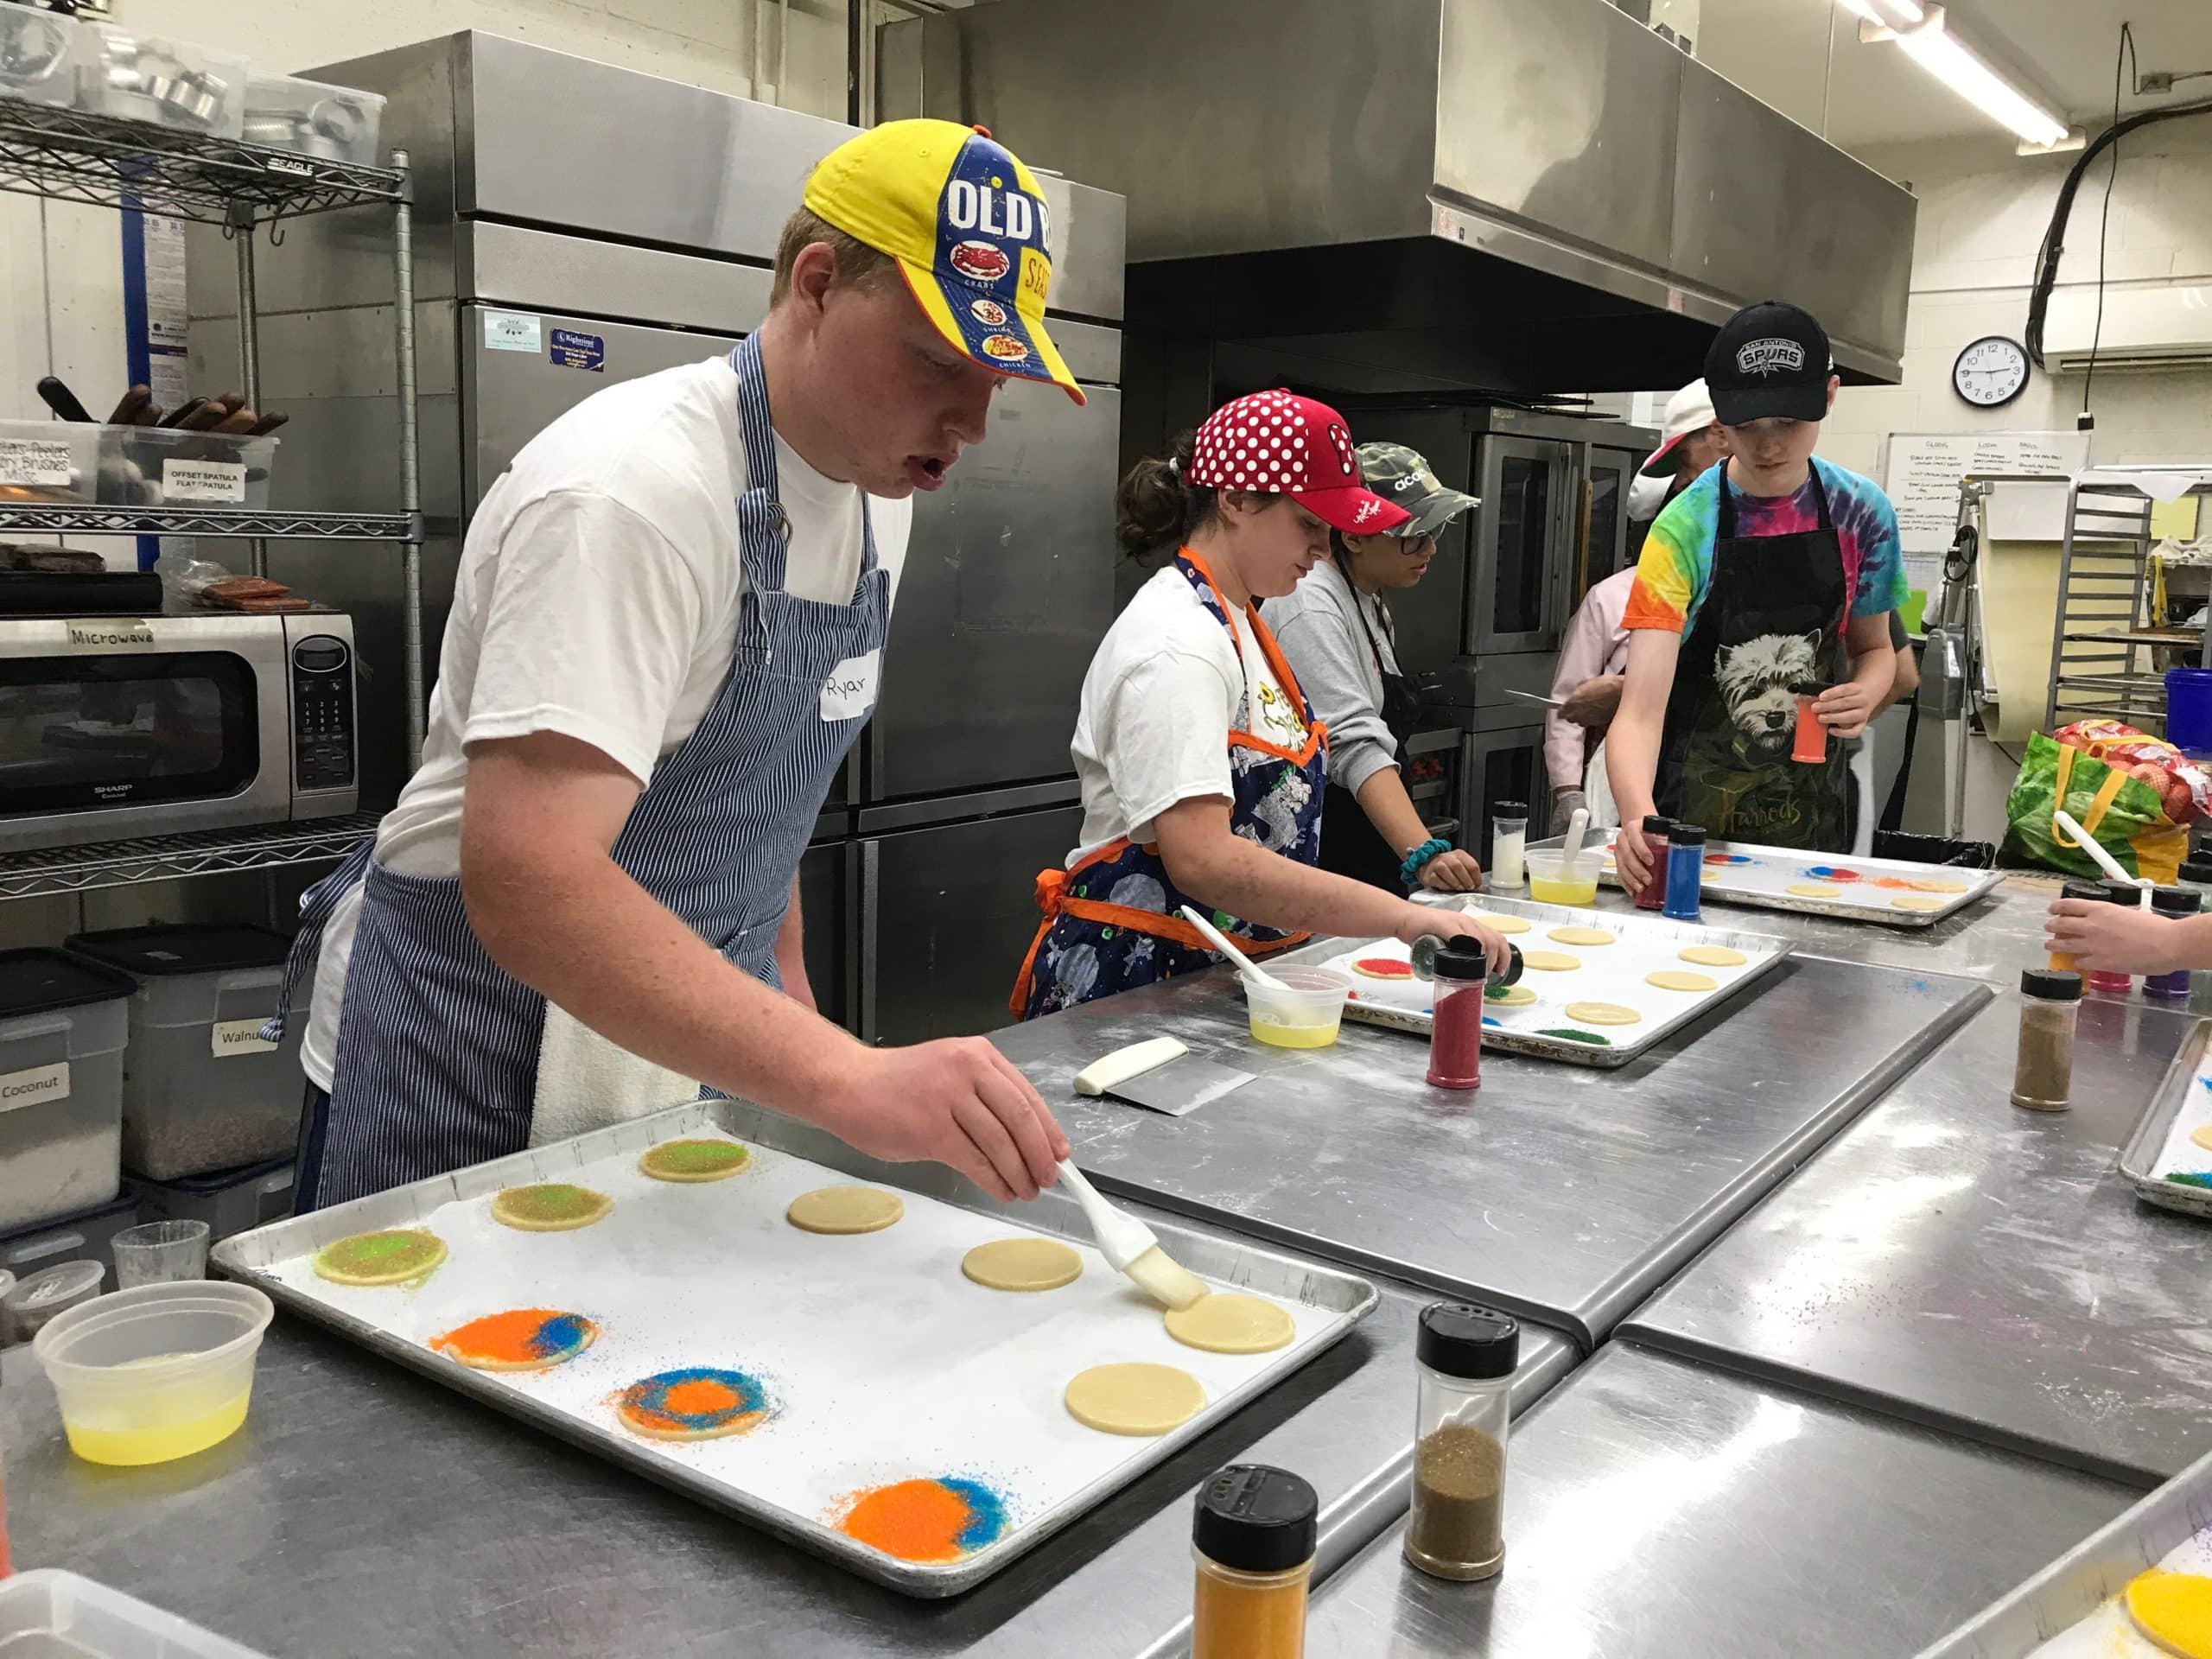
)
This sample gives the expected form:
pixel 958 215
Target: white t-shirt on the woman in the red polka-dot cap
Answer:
pixel 1158 707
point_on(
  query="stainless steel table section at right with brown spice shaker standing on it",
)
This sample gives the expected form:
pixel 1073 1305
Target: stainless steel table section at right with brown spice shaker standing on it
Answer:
pixel 1979 1266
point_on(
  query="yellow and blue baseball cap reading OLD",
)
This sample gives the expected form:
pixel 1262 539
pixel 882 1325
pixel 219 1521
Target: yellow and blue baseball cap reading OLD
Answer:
pixel 968 227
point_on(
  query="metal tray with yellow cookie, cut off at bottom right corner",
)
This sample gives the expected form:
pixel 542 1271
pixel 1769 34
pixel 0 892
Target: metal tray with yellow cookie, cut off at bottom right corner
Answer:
pixel 2078 1585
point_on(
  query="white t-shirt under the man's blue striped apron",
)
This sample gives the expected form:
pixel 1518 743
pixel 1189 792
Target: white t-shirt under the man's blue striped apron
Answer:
pixel 598 596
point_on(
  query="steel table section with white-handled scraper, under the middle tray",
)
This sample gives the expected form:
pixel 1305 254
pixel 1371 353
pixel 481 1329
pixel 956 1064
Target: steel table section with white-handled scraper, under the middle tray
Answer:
pixel 1554 1191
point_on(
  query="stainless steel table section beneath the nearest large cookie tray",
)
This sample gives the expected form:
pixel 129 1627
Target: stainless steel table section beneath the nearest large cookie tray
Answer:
pixel 368 1512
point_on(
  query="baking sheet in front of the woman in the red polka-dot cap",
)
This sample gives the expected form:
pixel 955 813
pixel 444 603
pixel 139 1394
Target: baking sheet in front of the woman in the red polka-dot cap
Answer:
pixel 1609 974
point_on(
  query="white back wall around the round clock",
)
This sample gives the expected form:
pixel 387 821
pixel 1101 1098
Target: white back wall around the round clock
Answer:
pixel 1983 216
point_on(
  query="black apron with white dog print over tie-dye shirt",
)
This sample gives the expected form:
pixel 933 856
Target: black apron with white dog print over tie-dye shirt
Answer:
pixel 1771 620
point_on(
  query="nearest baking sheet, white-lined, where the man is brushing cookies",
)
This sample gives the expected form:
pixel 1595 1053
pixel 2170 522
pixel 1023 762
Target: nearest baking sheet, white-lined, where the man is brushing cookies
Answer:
pixel 884 1361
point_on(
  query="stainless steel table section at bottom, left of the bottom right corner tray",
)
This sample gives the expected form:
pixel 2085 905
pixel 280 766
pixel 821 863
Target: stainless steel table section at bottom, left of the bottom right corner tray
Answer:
pixel 1656 1507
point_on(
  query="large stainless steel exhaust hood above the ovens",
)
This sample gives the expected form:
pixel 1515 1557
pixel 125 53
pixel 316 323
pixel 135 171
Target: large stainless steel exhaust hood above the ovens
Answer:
pixel 1428 196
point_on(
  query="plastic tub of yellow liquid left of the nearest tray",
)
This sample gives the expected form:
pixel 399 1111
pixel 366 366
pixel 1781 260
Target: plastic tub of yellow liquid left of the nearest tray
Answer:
pixel 156 1373
